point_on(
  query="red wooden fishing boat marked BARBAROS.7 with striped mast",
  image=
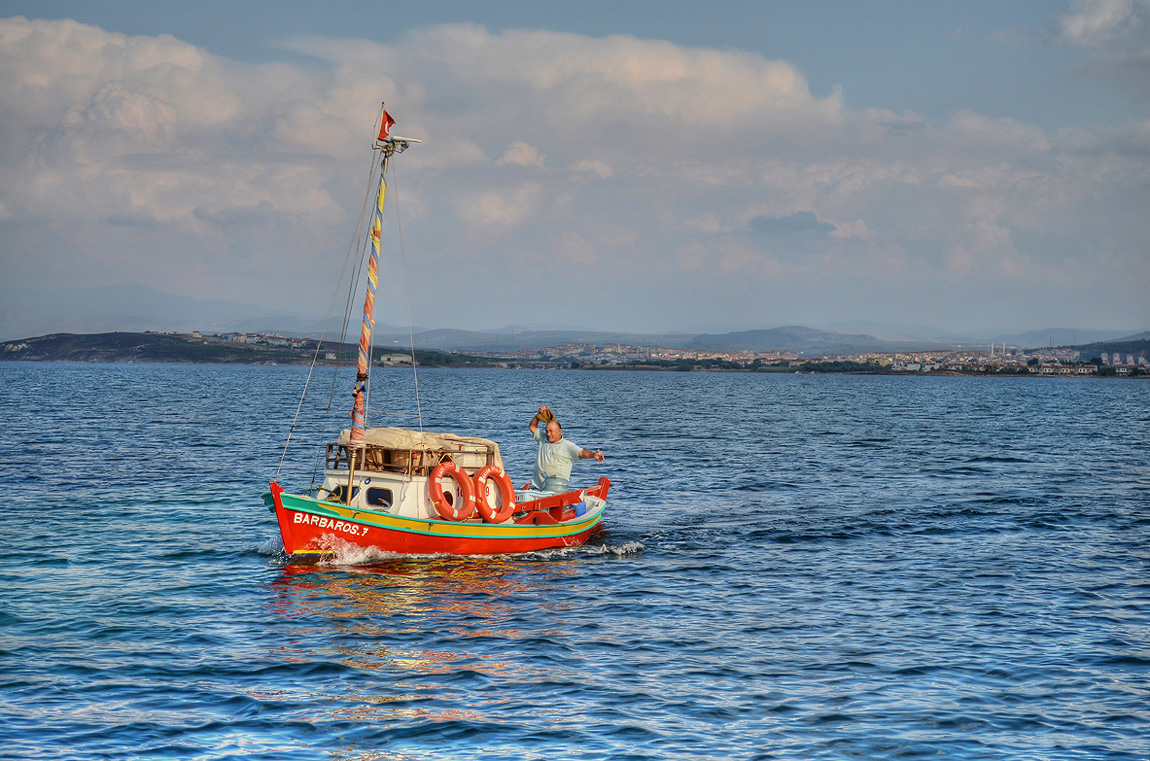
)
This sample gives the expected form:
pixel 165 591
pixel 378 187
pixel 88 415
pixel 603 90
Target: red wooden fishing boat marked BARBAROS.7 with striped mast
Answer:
pixel 410 491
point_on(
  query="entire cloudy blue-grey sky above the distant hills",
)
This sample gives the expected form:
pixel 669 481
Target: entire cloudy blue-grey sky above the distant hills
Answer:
pixel 631 166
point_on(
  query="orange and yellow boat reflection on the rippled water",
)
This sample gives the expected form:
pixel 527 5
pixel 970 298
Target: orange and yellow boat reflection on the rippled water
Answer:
pixel 415 647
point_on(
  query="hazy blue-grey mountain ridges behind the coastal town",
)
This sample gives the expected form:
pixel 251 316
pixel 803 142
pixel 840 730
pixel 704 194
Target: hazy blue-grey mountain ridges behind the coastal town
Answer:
pixel 139 309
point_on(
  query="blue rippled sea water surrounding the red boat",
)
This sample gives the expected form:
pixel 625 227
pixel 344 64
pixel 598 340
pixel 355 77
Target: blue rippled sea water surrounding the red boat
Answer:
pixel 794 567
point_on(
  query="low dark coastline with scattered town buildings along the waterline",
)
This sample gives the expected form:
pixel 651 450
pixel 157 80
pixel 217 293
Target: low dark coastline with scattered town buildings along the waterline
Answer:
pixel 1124 359
